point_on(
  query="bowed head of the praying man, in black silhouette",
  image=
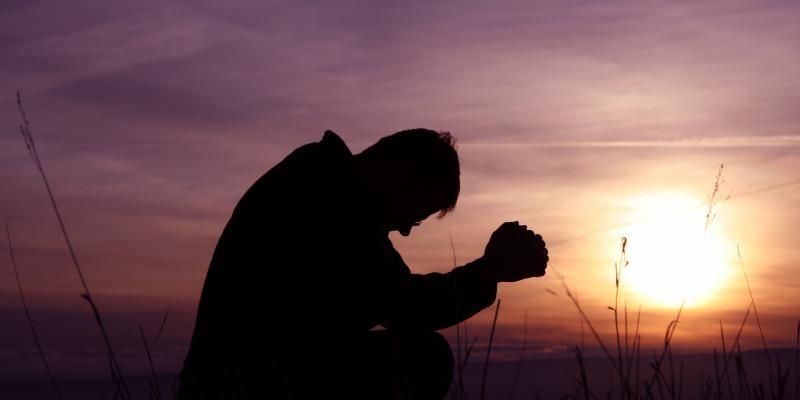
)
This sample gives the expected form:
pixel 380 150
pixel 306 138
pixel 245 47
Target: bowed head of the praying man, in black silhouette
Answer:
pixel 410 175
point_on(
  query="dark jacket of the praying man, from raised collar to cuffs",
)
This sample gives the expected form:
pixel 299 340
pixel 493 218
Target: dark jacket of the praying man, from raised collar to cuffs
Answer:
pixel 299 277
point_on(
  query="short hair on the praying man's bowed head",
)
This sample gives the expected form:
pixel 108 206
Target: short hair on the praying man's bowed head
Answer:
pixel 430 159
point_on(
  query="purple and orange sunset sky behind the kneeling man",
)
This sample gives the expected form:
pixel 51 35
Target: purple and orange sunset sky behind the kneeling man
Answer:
pixel 587 121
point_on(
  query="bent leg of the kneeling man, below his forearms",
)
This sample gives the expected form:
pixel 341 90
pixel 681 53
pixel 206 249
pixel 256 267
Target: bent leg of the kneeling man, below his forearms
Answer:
pixel 375 365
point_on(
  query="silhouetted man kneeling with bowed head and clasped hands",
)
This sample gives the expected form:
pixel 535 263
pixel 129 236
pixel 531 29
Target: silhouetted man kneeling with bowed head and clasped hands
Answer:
pixel 306 297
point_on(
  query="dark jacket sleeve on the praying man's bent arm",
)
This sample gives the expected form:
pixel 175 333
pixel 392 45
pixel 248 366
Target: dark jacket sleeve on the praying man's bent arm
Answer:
pixel 364 282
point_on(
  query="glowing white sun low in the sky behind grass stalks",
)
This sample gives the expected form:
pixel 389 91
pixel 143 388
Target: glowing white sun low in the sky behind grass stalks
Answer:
pixel 673 256
